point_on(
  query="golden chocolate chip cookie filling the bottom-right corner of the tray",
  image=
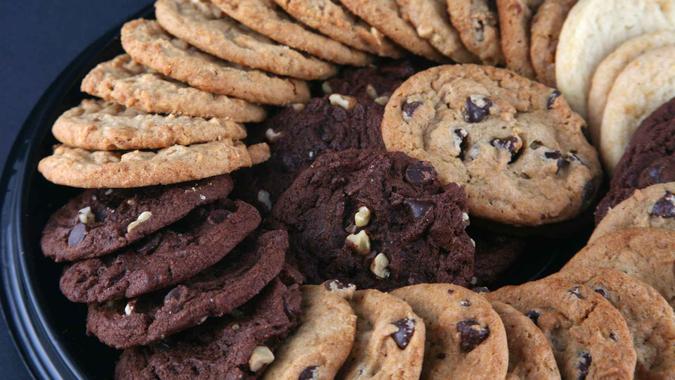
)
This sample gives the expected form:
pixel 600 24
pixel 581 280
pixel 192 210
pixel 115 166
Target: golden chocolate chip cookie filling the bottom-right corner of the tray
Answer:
pixel 649 317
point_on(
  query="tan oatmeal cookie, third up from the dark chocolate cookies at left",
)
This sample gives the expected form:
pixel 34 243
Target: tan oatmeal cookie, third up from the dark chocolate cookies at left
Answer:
pixel 132 85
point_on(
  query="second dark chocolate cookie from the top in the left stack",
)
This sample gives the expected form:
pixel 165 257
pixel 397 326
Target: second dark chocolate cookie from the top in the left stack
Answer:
pixel 168 257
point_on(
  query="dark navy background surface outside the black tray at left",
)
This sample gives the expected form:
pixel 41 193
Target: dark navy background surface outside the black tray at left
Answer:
pixel 38 39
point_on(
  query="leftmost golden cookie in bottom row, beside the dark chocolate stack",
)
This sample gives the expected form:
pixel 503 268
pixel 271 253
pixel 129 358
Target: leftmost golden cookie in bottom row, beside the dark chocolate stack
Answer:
pixel 322 342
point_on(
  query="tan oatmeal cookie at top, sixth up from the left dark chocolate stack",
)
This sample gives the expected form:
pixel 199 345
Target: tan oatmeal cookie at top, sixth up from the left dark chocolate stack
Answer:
pixel 265 17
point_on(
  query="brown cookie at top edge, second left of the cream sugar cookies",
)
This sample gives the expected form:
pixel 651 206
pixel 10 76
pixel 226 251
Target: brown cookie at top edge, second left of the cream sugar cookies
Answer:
pixel 514 24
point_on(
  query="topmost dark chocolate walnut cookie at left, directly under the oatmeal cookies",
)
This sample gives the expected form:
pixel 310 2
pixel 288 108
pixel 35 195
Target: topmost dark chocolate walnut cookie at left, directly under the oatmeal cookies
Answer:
pixel 98 222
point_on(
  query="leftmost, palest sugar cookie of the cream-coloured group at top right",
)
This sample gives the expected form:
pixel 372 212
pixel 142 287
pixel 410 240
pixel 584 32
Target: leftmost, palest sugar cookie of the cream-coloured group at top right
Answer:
pixel 593 29
